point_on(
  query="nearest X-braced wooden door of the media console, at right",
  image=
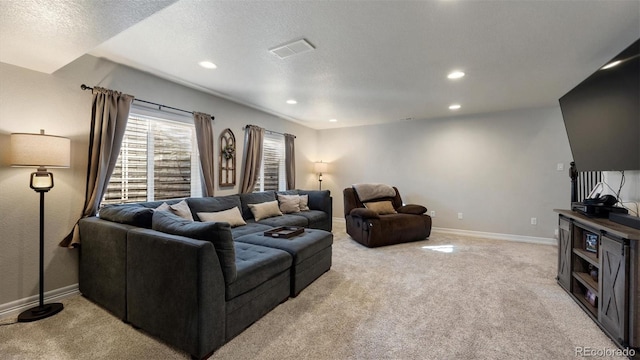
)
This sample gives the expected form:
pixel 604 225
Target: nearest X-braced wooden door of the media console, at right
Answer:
pixel 613 310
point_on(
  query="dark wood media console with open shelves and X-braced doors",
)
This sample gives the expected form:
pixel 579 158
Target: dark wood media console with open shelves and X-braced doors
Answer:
pixel 599 266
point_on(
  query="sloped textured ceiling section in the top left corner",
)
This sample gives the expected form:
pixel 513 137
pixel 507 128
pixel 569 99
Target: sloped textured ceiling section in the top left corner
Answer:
pixel 46 35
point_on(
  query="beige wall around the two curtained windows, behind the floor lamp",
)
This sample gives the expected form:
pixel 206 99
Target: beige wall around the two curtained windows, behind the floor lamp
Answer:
pixel 30 101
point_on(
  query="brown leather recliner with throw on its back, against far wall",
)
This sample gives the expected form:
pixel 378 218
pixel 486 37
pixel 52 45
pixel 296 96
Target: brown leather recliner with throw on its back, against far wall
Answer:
pixel 371 229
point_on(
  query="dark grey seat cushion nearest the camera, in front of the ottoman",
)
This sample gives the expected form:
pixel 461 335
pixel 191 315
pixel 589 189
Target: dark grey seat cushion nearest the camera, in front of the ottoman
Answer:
pixel 255 265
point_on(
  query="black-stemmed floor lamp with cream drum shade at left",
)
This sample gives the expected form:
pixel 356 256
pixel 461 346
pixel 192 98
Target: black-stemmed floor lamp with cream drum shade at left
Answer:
pixel 42 151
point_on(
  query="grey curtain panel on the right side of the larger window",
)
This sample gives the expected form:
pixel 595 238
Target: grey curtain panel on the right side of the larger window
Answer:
pixel 204 134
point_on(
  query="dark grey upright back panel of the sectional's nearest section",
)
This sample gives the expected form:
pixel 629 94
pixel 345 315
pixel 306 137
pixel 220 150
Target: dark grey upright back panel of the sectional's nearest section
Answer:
pixel 176 290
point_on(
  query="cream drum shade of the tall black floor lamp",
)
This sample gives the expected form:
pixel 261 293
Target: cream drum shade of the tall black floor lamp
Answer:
pixel 40 150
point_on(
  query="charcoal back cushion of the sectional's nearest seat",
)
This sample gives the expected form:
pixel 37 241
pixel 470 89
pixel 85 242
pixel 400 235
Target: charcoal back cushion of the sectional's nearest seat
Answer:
pixel 217 233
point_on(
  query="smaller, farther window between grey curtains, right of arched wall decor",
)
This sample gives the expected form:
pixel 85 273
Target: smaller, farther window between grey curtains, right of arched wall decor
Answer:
pixel 272 172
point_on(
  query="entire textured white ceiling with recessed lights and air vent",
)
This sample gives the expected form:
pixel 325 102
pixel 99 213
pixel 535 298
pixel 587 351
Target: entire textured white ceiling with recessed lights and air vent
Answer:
pixel 374 62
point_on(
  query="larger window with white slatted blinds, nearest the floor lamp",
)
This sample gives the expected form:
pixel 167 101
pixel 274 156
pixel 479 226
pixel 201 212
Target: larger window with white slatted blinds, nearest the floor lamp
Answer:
pixel 158 160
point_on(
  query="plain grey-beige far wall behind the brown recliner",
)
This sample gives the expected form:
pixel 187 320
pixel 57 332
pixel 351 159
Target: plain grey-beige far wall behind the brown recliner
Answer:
pixel 499 170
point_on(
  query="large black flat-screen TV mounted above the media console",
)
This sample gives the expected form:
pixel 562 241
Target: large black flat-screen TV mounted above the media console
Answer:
pixel 602 115
